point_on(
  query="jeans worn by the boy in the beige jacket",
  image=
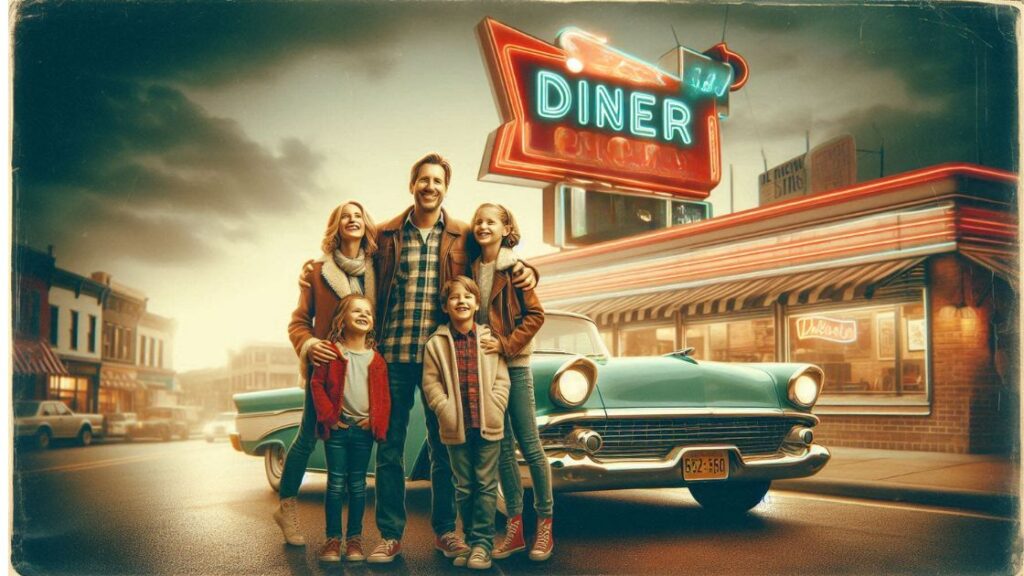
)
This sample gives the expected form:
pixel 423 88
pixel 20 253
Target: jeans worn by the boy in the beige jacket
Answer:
pixel 476 468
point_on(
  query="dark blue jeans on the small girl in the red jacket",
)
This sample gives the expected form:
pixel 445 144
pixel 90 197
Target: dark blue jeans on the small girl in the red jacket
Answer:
pixel 348 455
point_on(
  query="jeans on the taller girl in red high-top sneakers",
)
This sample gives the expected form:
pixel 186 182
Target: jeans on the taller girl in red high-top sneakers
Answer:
pixel 521 422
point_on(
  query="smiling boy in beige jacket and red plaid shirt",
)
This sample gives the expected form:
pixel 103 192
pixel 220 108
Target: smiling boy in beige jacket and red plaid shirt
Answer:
pixel 468 390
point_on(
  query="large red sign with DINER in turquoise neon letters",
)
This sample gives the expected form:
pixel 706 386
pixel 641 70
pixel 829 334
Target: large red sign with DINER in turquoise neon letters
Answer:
pixel 584 112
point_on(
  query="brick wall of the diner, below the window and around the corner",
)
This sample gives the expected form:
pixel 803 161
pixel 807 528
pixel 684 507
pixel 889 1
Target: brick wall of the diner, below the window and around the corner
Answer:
pixel 973 412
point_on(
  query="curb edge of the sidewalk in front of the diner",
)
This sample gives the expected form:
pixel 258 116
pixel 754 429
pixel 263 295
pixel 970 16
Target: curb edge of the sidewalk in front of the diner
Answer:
pixel 976 501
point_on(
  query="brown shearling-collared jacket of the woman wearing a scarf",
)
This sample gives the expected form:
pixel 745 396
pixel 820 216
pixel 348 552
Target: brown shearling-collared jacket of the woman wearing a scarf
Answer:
pixel 318 303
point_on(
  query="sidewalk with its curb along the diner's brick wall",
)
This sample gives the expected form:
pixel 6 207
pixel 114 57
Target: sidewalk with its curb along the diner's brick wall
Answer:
pixel 980 483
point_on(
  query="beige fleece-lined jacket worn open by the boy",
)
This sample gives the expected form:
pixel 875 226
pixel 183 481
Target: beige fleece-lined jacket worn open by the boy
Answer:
pixel 441 388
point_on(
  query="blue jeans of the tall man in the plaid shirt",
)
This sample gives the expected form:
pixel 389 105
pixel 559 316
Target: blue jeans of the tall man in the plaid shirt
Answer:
pixel 405 381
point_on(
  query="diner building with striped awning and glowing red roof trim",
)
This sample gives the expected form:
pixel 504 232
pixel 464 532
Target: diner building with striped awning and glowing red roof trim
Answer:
pixel 903 290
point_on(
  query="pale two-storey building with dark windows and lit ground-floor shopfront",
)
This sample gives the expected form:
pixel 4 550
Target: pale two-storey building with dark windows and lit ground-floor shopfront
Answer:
pixel 76 306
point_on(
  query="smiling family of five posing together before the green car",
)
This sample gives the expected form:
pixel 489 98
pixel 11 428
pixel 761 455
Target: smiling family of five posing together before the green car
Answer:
pixel 422 303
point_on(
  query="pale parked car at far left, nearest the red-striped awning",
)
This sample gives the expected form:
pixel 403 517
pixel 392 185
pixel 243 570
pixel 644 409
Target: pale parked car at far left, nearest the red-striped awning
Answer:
pixel 44 422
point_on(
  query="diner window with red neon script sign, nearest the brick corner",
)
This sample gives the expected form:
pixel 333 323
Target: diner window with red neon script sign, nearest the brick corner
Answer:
pixel 870 355
